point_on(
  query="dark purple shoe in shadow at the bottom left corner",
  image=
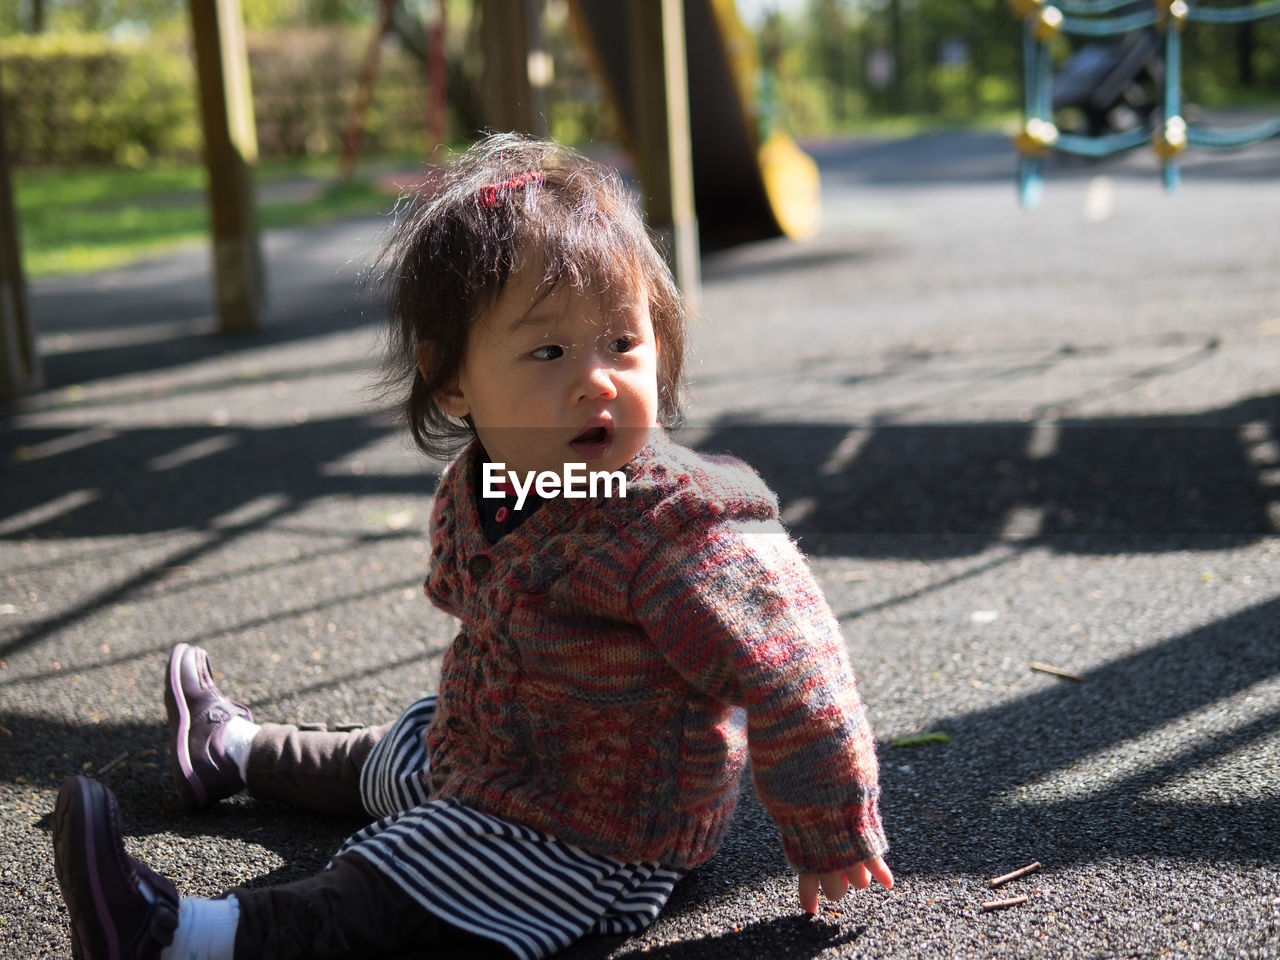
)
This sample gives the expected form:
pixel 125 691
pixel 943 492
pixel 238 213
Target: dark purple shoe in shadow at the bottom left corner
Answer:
pixel 118 907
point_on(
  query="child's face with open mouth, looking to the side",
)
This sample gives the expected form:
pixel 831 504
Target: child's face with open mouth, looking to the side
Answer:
pixel 559 380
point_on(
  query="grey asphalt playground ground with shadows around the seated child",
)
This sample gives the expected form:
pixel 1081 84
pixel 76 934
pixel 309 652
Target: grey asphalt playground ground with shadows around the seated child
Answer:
pixel 1003 438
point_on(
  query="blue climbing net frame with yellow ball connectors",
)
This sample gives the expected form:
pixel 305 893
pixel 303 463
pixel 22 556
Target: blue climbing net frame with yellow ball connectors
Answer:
pixel 1169 135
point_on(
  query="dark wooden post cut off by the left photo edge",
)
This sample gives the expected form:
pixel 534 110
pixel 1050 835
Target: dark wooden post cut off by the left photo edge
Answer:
pixel 20 364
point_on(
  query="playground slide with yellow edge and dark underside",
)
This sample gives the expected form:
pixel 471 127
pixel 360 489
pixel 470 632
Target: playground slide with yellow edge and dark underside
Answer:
pixel 746 190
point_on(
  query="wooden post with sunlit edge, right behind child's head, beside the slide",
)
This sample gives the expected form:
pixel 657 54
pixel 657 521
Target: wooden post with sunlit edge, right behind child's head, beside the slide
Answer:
pixel 660 90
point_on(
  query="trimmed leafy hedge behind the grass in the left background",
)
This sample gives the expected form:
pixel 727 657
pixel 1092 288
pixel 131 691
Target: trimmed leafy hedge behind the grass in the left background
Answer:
pixel 88 99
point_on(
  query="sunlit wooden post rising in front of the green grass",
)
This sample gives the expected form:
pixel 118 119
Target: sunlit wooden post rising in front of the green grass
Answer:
pixel 231 152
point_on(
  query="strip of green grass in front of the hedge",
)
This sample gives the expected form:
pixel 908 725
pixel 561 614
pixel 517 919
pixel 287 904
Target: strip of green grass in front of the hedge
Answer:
pixel 79 221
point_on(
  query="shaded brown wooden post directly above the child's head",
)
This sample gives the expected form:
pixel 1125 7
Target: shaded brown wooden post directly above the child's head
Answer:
pixel 508 35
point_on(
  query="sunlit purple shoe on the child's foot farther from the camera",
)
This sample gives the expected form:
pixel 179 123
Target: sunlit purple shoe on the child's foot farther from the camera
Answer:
pixel 203 771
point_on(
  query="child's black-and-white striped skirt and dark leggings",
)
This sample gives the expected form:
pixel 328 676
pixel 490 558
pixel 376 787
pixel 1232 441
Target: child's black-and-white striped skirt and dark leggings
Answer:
pixel 427 872
